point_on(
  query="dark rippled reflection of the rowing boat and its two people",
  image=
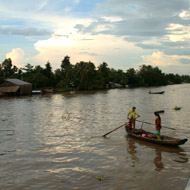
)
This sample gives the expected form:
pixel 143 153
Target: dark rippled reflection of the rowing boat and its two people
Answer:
pixel 135 147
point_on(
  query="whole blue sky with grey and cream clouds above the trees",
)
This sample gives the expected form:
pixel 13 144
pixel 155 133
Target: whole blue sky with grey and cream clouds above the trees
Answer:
pixel 123 33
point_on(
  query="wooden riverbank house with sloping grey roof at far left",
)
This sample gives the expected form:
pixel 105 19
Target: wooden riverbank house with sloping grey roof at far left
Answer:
pixel 15 87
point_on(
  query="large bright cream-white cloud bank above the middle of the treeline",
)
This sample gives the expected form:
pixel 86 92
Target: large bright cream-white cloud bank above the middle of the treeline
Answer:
pixel 84 48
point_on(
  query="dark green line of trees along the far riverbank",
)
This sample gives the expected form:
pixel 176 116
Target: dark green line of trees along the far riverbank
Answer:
pixel 85 76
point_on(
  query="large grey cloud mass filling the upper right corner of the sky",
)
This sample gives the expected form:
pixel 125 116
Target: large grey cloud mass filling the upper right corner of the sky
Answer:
pixel 148 25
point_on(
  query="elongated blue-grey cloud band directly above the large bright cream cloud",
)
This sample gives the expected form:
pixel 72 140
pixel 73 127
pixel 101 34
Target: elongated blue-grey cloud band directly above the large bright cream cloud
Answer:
pixel 134 27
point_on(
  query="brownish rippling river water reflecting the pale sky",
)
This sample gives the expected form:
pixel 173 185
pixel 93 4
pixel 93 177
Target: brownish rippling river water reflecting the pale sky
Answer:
pixel 55 141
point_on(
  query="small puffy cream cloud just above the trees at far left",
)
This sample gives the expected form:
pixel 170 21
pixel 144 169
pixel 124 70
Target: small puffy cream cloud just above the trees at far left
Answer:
pixel 17 56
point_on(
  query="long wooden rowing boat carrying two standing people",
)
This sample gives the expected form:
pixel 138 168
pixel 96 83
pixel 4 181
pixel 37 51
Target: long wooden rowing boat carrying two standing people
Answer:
pixel 151 137
